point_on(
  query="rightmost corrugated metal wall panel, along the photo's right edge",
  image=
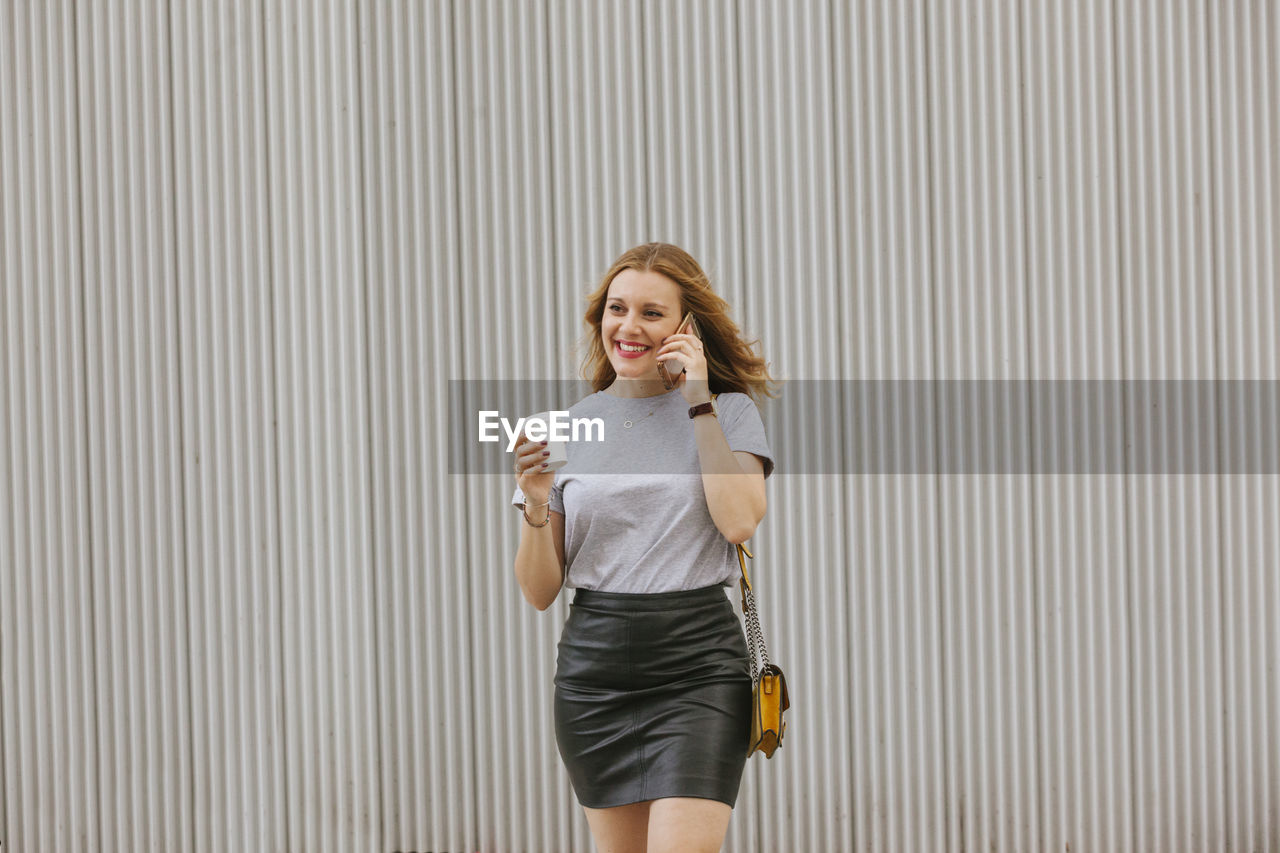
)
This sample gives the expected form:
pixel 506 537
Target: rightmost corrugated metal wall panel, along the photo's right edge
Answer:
pixel 1245 127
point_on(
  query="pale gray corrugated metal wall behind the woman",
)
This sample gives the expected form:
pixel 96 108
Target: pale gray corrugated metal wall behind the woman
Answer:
pixel 245 606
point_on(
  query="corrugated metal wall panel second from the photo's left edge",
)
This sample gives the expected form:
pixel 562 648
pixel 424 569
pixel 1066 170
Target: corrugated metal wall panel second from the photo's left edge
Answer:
pixel 140 637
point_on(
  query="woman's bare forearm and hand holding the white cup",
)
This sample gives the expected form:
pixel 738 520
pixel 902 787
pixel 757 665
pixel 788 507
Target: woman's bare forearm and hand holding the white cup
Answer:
pixel 541 558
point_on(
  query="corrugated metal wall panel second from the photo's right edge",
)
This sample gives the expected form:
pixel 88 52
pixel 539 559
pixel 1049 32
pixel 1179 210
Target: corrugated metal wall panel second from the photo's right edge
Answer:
pixel 1172 517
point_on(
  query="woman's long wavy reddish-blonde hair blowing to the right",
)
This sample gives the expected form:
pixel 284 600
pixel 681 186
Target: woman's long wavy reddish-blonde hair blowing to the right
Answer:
pixel 732 362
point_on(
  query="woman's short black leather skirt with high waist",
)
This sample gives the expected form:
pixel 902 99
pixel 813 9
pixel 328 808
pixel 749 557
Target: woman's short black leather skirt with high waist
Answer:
pixel 653 697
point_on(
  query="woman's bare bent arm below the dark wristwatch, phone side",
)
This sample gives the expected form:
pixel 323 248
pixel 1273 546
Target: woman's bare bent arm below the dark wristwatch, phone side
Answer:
pixel 733 481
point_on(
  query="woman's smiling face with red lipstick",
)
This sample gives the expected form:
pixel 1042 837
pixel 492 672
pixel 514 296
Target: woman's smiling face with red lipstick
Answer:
pixel 642 309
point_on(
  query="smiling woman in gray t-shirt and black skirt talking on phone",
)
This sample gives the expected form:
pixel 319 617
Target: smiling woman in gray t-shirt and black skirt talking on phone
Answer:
pixel 652 679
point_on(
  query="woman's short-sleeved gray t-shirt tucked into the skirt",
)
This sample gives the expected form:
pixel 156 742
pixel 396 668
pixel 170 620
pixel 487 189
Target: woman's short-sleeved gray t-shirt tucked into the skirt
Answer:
pixel 636 513
